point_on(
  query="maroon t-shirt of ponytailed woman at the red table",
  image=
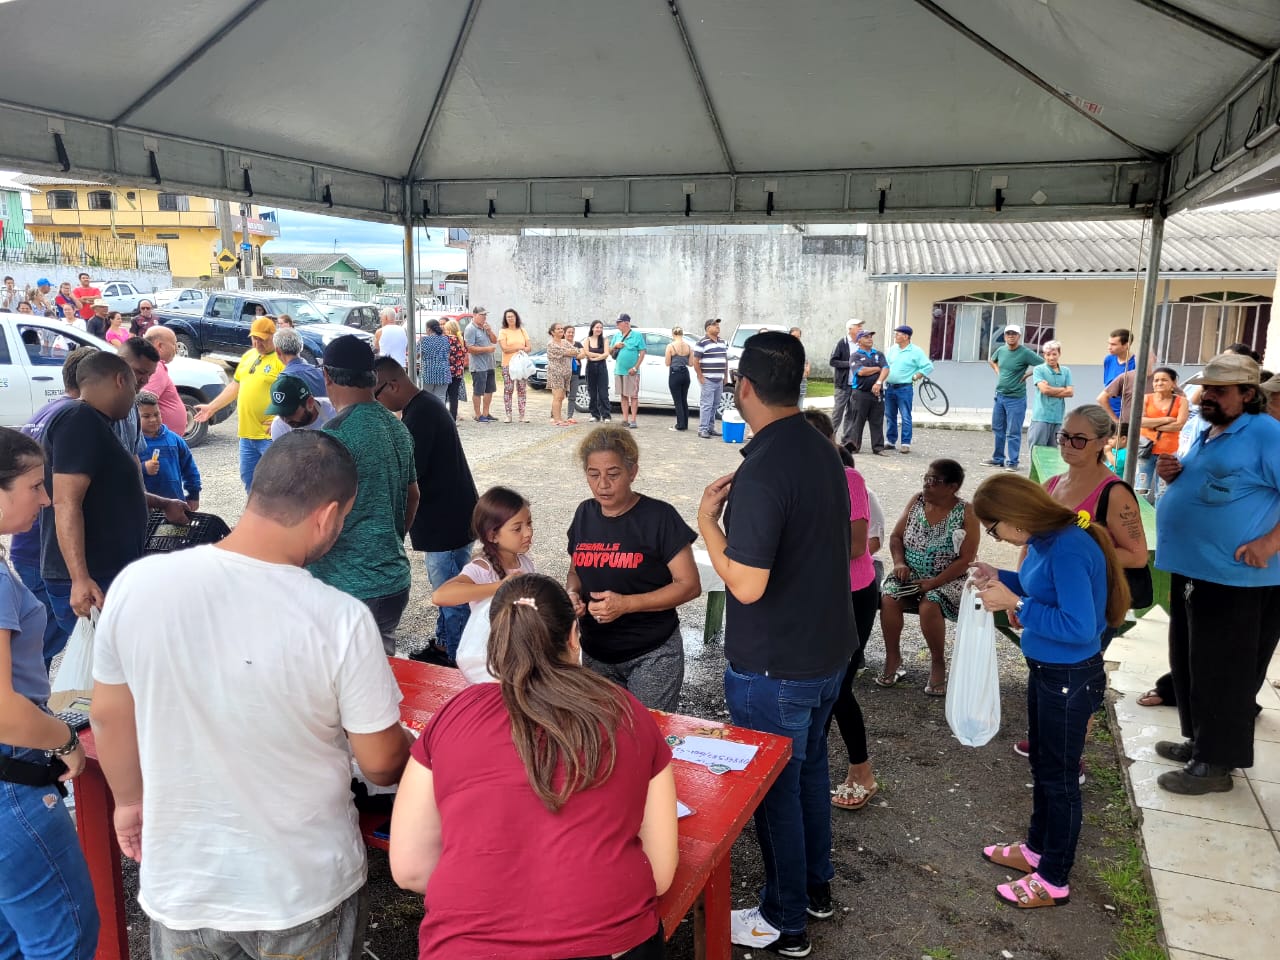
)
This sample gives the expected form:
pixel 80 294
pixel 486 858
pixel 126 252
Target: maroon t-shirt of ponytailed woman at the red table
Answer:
pixel 516 881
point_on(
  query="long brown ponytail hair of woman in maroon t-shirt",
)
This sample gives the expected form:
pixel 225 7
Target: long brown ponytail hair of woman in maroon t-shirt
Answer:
pixel 564 717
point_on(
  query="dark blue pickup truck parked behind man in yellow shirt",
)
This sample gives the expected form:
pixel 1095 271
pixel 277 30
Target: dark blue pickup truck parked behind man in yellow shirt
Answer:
pixel 222 330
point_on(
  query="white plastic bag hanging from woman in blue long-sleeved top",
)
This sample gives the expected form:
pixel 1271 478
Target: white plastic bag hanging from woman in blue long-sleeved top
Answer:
pixel 973 689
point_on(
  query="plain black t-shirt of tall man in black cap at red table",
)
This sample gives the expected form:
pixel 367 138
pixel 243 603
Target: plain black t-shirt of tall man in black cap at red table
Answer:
pixel 788 513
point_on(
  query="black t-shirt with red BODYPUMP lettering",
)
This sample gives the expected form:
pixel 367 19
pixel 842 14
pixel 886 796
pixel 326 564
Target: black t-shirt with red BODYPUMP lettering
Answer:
pixel 628 555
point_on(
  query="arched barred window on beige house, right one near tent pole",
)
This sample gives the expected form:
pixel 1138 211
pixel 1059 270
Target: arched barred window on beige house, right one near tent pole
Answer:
pixel 1201 327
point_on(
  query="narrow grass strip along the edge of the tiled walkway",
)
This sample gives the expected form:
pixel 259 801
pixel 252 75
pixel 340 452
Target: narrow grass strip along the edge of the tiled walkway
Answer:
pixel 1123 875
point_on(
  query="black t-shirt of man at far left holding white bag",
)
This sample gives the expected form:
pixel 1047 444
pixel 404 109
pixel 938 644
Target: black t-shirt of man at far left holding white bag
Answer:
pixel 83 441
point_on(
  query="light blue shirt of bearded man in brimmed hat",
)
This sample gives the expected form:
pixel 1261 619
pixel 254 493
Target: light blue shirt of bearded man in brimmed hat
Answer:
pixel 1227 496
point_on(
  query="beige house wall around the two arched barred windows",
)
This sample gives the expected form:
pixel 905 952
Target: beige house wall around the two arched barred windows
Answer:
pixel 1087 313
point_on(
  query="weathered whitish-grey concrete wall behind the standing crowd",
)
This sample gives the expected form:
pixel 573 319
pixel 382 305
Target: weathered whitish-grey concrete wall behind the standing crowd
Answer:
pixel 670 280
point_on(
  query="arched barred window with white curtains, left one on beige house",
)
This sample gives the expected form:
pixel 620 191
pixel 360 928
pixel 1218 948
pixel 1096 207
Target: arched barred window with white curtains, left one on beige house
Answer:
pixel 971 328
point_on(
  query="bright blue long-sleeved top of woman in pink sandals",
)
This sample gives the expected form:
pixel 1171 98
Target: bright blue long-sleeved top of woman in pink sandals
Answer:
pixel 1064 582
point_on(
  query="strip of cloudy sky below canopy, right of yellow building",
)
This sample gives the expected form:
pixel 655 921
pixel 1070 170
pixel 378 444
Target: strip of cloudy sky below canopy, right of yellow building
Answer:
pixel 376 246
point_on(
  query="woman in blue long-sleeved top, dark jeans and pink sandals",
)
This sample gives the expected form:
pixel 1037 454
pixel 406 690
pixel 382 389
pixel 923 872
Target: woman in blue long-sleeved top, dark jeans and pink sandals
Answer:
pixel 1068 591
